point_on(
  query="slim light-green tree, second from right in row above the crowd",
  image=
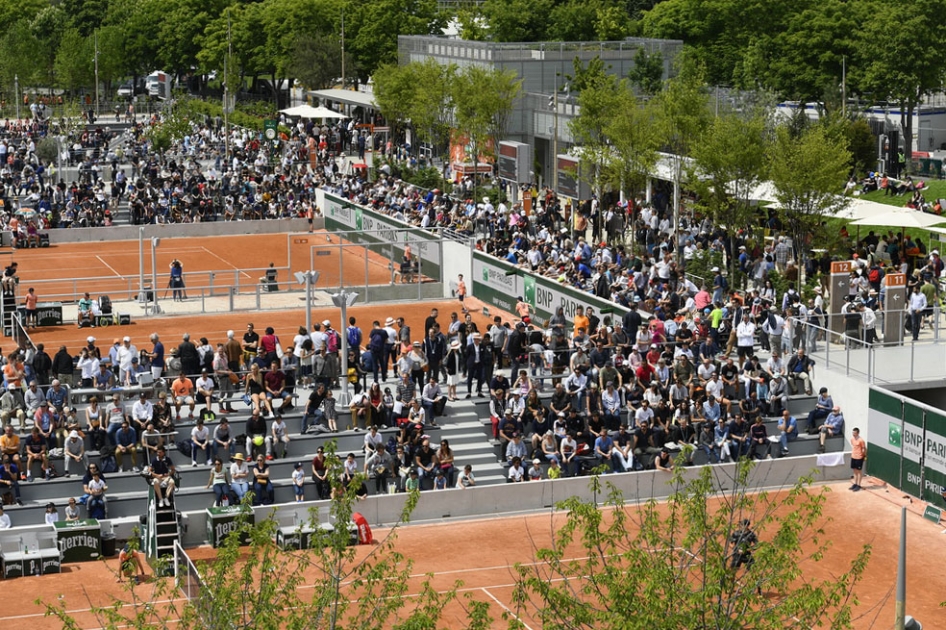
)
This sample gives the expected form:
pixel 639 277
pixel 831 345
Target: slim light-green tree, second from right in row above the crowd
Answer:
pixel 729 162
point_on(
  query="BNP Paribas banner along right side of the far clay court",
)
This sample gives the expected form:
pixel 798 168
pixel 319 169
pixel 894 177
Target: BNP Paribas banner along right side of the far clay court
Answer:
pixel 382 234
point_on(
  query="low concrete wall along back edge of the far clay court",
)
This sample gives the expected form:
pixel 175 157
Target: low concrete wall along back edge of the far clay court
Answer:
pixel 214 228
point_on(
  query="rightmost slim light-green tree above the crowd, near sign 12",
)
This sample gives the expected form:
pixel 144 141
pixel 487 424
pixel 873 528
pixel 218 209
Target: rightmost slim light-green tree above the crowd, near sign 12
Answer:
pixel 806 172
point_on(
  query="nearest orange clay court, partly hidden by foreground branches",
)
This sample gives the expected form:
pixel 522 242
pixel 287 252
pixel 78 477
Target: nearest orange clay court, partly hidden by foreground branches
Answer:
pixel 481 553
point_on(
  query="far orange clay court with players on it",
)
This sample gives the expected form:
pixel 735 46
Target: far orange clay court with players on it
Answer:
pixel 112 267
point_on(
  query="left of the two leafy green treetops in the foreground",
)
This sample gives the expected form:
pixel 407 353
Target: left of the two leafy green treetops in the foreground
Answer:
pixel 260 586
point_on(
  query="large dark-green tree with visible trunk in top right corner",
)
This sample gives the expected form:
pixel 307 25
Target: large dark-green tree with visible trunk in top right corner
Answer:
pixel 898 66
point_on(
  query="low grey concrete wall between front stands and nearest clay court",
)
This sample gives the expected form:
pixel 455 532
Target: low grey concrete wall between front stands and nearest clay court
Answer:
pixel 384 510
